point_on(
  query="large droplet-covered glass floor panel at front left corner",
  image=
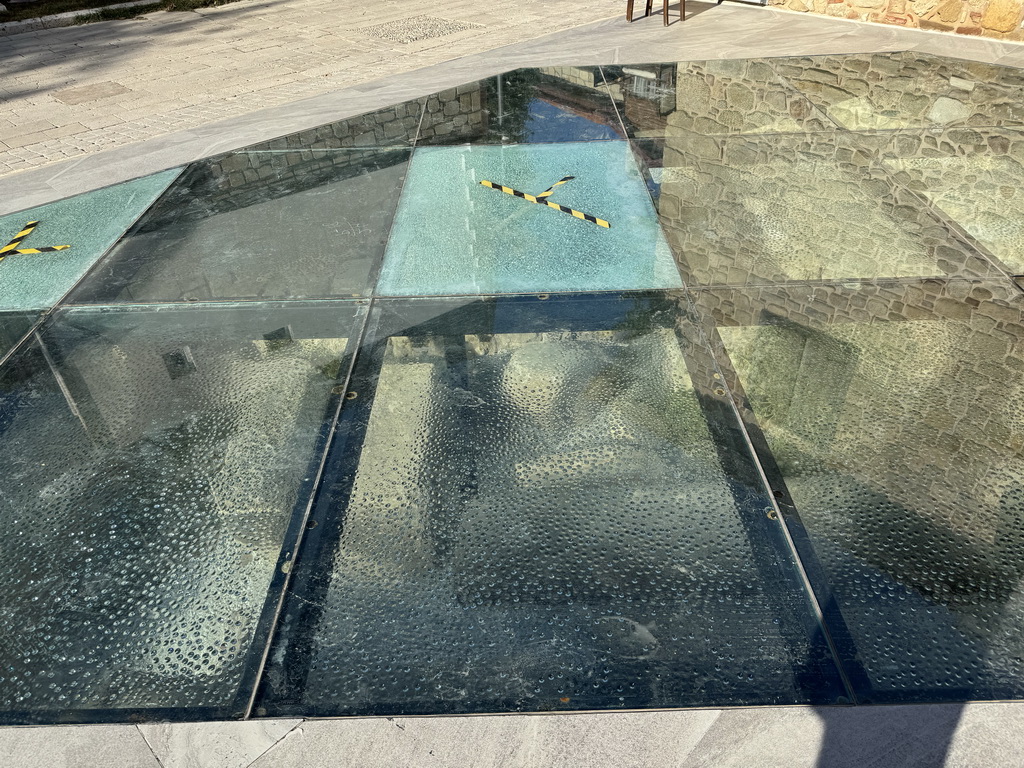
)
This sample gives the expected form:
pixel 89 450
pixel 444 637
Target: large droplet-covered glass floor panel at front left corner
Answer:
pixel 161 457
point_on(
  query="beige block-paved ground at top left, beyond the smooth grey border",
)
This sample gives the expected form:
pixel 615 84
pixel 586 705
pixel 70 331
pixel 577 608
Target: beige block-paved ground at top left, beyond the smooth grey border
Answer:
pixel 73 92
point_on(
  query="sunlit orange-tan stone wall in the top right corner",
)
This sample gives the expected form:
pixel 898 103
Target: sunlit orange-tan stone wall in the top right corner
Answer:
pixel 999 19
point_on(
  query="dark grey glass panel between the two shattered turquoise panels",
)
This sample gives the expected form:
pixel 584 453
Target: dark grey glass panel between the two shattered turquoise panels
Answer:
pixel 260 226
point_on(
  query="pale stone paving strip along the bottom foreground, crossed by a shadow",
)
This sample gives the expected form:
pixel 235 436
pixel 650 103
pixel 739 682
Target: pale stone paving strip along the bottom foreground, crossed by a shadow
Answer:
pixel 911 737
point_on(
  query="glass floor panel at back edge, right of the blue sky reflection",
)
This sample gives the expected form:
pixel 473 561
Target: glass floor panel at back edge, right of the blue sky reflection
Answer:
pixel 738 97
